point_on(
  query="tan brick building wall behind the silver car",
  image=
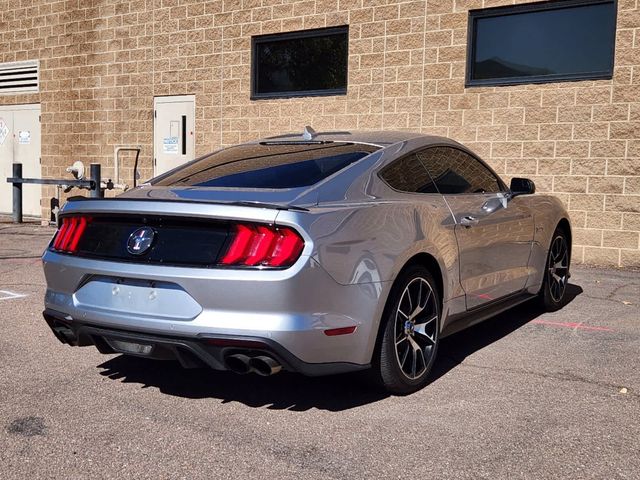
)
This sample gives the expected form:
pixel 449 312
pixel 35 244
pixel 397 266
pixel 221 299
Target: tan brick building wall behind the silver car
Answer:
pixel 103 61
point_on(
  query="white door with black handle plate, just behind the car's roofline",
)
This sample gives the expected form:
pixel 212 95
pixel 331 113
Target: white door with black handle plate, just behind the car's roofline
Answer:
pixel 173 131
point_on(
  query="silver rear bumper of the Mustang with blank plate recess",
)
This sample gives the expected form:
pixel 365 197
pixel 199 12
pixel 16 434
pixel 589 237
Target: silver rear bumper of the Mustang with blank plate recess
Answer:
pixel 290 310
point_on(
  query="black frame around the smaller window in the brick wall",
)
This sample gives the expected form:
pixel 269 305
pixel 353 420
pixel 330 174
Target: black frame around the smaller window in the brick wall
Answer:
pixel 299 34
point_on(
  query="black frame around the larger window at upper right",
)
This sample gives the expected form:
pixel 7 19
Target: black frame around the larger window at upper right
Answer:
pixel 504 11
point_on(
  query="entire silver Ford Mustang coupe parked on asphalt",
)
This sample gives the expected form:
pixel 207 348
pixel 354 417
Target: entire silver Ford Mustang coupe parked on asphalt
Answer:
pixel 319 254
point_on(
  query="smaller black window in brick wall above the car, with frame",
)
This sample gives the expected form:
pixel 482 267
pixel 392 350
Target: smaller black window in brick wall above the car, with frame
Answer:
pixel 312 62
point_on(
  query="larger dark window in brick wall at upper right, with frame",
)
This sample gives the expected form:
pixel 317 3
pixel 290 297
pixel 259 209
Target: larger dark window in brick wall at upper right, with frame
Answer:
pixel 542 42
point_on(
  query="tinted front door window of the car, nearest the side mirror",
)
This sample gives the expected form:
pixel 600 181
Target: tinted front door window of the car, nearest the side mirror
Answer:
pixel 455 171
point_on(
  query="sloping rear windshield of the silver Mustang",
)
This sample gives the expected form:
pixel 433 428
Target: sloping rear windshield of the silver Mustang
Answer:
pixel 267 165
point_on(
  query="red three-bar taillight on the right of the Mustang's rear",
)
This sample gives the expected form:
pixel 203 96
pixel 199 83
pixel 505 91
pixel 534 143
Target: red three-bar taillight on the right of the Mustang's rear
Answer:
pixel 262 245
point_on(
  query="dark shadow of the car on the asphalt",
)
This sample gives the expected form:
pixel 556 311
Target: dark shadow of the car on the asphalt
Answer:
pixel 299 393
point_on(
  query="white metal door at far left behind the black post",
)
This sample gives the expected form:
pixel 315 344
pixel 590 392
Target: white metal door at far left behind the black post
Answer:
pixel 20 143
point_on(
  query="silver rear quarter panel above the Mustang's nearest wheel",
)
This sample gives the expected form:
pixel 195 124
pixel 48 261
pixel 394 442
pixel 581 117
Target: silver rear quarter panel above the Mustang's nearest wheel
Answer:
pixel 368 244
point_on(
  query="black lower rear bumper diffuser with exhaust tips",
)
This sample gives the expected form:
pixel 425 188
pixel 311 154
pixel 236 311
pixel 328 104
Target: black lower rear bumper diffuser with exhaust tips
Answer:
pixel 205 350
